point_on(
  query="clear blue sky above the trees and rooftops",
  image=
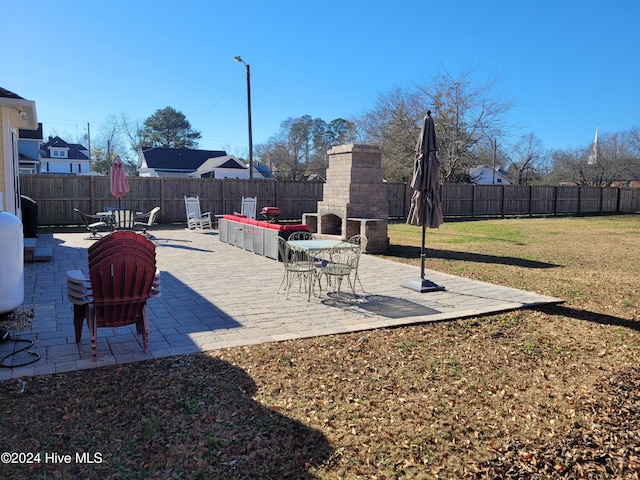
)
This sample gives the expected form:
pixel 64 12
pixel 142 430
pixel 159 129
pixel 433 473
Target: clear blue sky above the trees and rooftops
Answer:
pixel 568 66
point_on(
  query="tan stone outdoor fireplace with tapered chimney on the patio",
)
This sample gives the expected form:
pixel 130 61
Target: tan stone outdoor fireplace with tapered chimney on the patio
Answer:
pixel 354 198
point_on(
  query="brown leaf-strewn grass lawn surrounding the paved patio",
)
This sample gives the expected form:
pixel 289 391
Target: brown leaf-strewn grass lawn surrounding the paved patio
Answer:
pixel 552 392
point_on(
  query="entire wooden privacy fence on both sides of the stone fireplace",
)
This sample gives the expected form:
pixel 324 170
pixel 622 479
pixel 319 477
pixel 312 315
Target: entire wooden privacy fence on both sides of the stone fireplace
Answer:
pixel 58 195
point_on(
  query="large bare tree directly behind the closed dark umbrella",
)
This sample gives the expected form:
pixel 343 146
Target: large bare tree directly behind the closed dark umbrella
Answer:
pixel 467 119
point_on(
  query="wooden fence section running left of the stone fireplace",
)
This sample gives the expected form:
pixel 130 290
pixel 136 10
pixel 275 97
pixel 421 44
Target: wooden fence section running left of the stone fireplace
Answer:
pixel 58 195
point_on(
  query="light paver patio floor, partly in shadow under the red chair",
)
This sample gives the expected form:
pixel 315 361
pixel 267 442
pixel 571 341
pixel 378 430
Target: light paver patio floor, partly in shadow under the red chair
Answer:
pixel 215 295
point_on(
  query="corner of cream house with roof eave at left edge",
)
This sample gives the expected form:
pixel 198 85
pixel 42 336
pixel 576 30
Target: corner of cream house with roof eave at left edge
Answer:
pixel 15 113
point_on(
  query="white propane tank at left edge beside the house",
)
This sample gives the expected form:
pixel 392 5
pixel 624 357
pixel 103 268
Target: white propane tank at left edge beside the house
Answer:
pixel 11 262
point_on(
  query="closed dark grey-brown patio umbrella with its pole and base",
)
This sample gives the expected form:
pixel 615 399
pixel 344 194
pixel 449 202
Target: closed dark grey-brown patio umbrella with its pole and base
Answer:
pixel 426 207
